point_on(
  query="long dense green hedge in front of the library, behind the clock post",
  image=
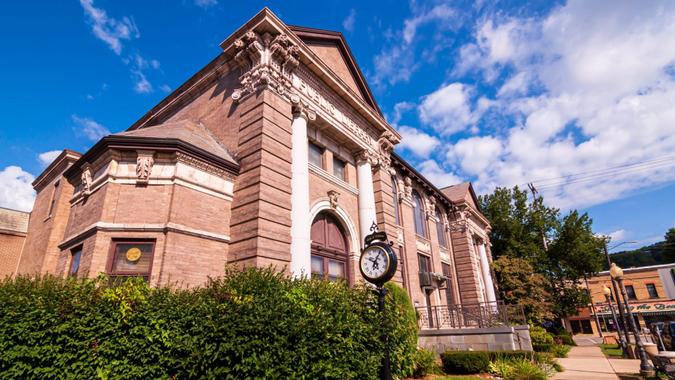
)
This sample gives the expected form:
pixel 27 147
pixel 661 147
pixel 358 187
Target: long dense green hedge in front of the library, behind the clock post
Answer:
pixel 250 324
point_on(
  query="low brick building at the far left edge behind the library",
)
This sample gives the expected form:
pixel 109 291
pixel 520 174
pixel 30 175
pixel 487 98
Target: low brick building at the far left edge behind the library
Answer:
pixel 13 229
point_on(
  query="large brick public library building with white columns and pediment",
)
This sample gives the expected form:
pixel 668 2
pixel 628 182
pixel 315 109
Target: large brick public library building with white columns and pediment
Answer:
pixel 275 153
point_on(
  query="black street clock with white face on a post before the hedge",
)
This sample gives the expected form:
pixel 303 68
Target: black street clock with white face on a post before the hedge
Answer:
pixel 378 265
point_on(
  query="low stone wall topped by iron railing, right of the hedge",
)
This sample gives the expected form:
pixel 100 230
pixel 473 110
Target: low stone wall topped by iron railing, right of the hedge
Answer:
pixel 504 338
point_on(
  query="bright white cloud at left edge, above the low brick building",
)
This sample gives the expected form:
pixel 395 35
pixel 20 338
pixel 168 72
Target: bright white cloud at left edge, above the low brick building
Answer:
pixel 16 191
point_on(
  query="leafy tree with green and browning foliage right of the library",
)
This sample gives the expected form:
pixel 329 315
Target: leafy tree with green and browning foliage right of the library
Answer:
pixel 518 231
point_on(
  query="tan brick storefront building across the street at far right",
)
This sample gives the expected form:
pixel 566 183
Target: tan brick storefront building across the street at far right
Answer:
pixel 651 298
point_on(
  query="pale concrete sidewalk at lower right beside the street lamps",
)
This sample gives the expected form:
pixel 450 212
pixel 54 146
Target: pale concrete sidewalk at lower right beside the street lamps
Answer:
pixel 588 362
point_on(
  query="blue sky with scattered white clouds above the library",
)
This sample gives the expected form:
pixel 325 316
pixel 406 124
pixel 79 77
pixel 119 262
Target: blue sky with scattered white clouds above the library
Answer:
pixel 576 97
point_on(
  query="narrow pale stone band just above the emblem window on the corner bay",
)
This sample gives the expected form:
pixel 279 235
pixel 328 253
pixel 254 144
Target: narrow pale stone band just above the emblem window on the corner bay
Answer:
pixel 140 227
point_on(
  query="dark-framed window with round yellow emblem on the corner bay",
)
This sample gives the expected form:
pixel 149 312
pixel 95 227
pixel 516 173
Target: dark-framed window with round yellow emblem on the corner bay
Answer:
pixel 132 259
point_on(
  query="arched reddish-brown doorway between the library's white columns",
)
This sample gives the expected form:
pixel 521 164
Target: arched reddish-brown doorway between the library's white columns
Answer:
pixel 330 248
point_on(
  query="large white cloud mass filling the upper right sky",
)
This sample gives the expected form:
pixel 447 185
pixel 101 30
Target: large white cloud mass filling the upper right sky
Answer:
pixel 585 98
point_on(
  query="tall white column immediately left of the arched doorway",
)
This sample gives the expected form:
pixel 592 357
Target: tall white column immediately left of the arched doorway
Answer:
pixel 301 263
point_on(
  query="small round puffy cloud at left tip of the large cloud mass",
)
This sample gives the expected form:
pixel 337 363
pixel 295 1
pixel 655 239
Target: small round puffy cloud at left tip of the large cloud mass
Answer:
pixel 447 109
